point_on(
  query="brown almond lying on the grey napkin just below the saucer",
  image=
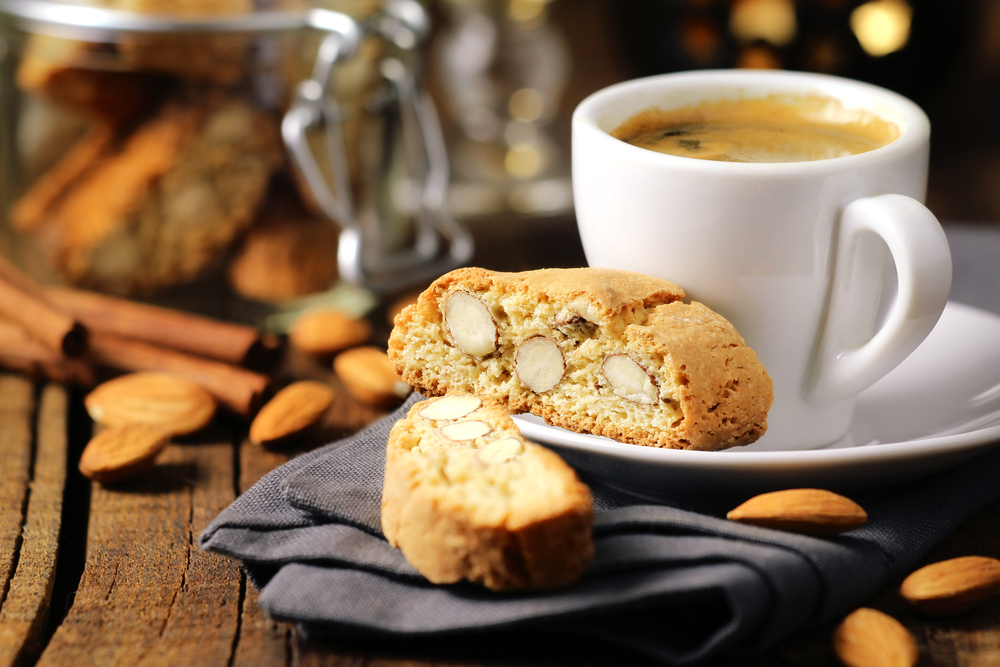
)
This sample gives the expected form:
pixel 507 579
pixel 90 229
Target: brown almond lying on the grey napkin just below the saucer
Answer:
pixel 808 511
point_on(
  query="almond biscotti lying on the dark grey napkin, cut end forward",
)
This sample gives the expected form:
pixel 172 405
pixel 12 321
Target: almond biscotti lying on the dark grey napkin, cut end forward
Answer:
pixel 467 498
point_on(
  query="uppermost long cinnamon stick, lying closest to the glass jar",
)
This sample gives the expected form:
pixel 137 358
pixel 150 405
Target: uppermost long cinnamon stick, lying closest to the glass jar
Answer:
pixel 202 336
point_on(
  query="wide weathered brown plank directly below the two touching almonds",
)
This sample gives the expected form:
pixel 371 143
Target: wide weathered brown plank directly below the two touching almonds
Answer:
pixel 148 595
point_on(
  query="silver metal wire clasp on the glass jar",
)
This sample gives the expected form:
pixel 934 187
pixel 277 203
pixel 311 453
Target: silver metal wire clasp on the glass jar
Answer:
pixel 361 259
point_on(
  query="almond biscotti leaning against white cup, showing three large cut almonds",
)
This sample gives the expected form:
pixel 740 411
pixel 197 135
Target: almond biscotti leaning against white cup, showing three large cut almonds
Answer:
pixel 603 351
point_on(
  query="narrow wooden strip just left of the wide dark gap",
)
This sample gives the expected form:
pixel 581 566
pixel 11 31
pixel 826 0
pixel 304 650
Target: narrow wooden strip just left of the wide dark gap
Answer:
pixel 23 615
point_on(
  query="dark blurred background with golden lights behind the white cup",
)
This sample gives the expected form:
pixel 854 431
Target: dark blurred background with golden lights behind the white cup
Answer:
pixel 533 54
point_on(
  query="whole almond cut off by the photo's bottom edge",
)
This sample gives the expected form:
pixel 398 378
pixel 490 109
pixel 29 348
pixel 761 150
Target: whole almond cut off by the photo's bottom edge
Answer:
pixel 869 638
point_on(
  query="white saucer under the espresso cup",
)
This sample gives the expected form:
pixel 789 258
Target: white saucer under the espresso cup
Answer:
pixel 938 408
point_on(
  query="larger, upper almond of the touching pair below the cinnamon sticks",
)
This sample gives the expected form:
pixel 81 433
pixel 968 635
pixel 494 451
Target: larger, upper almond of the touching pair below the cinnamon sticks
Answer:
pixel 173 403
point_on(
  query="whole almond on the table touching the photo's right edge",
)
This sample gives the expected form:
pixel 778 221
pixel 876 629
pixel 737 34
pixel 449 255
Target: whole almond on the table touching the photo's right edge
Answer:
pixel 952 586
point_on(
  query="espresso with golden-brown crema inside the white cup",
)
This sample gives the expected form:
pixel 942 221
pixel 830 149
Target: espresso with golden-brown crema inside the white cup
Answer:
pixel 767 129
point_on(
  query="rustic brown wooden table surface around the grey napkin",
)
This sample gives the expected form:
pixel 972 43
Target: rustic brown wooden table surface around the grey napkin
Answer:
pixel 113 576
